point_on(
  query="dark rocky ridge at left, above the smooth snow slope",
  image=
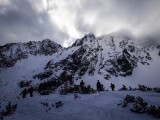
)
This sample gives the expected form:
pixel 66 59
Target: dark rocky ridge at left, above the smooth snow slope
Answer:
pixel 12 52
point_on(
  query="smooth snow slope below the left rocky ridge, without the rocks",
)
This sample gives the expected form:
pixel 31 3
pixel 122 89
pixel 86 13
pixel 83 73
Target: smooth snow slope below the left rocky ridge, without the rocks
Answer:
pixel 22 70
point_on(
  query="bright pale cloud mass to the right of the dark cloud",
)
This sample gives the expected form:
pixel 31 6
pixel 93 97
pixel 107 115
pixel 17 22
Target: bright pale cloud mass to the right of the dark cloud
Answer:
pixel 106 16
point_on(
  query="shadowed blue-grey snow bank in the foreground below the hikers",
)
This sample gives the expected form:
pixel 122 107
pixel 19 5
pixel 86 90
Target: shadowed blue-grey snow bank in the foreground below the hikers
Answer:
pixel 98 106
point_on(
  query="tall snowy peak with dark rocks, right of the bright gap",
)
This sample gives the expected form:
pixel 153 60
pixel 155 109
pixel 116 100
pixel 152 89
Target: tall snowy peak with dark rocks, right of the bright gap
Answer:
pixel 106 57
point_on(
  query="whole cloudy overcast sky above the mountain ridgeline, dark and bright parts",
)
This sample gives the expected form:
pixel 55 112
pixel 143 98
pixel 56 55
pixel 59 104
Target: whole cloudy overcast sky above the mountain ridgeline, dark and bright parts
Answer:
pixel 63 21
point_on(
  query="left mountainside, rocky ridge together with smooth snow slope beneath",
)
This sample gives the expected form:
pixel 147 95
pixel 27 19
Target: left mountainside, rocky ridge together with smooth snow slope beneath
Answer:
pixel 20 61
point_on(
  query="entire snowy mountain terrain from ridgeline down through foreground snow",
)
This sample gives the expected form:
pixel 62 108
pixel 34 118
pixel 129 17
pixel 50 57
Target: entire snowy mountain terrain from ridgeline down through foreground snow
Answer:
pixel 113 58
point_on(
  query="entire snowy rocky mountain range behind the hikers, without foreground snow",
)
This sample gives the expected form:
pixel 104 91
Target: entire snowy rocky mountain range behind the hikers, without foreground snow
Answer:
pixel 108 58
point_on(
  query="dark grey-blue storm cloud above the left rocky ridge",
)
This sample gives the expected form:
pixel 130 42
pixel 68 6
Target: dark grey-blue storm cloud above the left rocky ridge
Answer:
pixel 20 21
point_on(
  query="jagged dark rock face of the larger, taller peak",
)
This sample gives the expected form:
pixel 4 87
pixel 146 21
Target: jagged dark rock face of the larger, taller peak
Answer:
pixel 106 55
